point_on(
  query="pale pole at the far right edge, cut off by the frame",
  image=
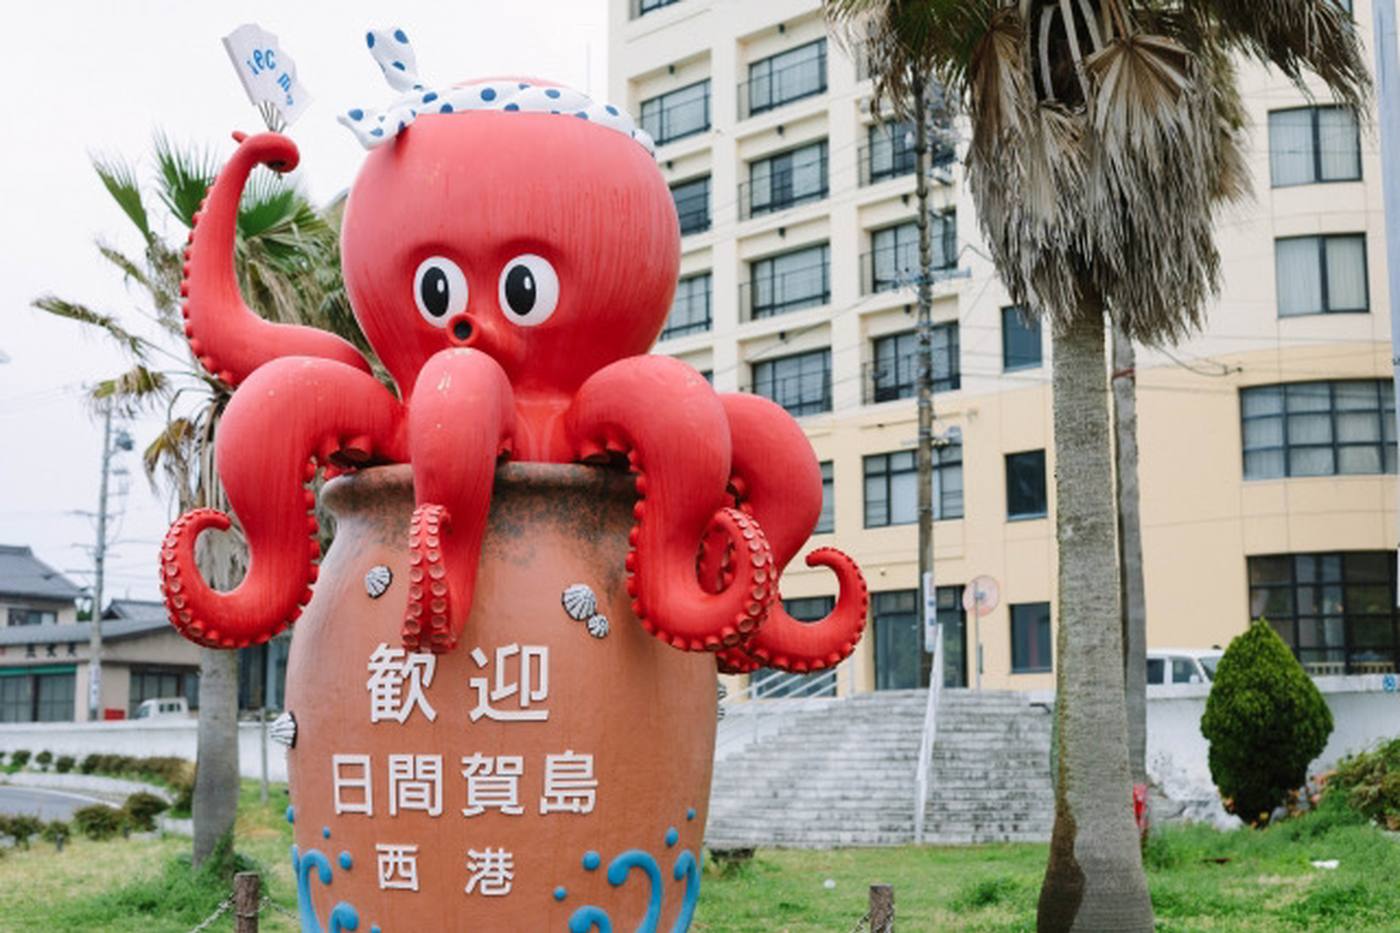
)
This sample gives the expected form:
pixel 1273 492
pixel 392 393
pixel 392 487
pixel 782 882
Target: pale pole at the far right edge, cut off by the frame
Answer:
pixel 1388 99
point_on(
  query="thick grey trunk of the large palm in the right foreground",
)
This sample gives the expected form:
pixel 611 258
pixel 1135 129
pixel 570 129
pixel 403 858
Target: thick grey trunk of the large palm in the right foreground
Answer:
pixel 1094 879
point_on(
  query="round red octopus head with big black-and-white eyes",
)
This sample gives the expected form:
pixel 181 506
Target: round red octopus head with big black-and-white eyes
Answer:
pixel 544 240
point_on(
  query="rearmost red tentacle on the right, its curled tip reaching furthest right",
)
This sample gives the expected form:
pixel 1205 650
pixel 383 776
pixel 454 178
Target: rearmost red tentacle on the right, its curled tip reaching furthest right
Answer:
pixel 776 478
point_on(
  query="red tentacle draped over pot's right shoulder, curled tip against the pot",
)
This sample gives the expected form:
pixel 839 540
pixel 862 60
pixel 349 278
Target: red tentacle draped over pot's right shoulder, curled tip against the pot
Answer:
pixel 678 445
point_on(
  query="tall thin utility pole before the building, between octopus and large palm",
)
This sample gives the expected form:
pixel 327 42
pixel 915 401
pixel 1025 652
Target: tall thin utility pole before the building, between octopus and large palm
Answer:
pixel 923 166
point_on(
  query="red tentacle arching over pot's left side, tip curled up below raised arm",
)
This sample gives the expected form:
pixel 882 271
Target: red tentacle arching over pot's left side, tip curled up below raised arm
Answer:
pixel 289 415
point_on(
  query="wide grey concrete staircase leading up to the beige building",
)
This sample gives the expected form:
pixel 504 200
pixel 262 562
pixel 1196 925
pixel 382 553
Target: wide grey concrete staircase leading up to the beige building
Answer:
pixel 842 774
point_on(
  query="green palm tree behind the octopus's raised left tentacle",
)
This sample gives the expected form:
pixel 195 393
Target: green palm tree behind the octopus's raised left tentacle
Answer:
pixel 283 253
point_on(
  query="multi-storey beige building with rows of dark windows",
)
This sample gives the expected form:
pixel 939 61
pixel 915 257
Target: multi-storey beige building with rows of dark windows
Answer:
pixel 1268 442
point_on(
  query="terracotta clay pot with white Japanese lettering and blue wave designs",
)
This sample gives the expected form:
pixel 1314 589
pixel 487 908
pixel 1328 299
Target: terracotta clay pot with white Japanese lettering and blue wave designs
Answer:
pixel 645 712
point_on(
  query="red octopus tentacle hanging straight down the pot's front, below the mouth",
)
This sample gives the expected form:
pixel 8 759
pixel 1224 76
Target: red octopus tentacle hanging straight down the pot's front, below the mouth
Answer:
pixel 461 421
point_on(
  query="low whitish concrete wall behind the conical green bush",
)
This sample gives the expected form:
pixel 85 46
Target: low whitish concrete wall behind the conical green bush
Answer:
pixel 1366 711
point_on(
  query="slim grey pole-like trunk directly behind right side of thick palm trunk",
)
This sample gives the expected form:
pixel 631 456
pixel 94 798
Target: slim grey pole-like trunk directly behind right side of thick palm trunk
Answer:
pixel 1130 551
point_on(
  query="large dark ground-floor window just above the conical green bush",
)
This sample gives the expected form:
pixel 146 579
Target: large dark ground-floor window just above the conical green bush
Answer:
pixel 1336 611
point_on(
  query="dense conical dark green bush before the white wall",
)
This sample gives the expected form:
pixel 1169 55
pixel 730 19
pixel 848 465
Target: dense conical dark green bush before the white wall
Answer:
pixel 1266 722
